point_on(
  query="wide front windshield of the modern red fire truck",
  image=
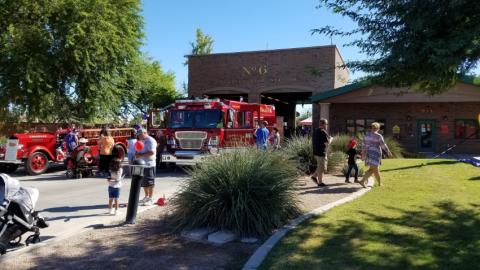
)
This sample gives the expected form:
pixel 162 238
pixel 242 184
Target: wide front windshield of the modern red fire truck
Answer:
pixel 196 119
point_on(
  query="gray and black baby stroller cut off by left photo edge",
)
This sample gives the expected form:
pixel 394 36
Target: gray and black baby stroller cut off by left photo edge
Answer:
pixel 17 215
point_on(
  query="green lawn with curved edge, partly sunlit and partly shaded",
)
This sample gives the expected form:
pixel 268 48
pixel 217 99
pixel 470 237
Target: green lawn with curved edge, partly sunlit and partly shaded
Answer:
pixel 425 216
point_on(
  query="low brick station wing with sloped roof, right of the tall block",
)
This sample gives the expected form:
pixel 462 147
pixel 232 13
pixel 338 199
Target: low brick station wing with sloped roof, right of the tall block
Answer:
pixel 420 122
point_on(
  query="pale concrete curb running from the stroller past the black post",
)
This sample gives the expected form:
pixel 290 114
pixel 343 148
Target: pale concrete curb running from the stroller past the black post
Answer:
pixel 69 234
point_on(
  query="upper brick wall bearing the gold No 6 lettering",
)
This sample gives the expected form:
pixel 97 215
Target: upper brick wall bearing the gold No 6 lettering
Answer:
pixel 259 71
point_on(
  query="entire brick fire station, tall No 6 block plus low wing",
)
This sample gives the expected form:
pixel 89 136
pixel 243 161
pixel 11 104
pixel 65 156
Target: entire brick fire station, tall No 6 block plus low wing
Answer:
pixel 288 77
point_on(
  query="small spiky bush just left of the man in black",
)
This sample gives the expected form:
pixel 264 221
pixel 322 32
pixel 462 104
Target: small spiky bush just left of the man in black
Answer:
pixel 300 151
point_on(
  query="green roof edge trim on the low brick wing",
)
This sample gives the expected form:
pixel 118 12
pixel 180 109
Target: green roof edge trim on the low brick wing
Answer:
pixel 368 82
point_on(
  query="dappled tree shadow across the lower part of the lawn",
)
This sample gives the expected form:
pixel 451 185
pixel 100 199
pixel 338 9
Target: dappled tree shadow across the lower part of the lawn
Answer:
pixel 445 236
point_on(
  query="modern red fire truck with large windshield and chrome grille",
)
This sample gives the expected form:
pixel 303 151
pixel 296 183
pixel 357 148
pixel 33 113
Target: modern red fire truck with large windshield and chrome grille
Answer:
pixel 188 130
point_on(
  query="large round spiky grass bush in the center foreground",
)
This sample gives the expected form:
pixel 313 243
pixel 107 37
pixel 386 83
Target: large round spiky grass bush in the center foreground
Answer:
pixel 248 192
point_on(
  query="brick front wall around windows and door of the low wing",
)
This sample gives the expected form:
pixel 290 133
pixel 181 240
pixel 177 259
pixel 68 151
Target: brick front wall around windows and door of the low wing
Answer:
pixel 396 114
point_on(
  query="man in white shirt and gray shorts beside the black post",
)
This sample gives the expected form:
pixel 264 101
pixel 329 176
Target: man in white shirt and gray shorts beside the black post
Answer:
pixel 148 154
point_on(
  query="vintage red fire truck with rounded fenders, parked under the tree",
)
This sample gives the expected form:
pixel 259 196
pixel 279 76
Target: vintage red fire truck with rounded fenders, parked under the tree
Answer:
pixel 37 149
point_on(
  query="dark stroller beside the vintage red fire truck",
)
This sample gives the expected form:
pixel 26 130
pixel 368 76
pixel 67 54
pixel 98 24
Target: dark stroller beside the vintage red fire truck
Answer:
pixel 81 161
